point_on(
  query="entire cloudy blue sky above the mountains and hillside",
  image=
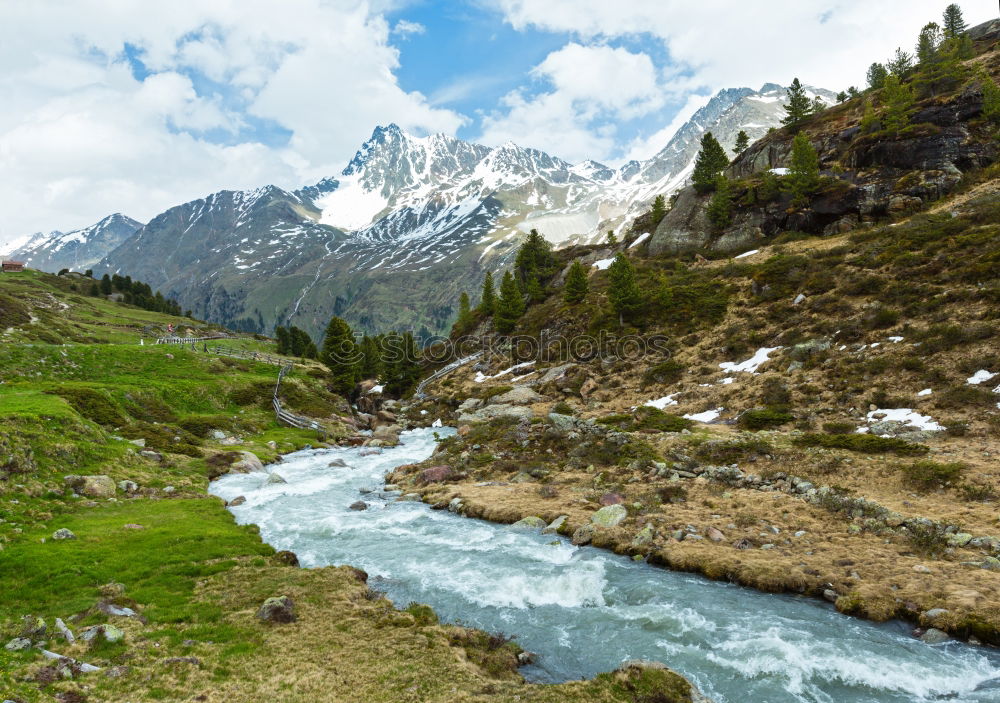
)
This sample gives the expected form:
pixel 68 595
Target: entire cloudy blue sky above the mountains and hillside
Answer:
pixel 135 107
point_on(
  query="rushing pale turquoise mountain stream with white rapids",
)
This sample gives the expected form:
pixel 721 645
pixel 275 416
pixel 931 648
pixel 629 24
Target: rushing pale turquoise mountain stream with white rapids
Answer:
pixel 583 610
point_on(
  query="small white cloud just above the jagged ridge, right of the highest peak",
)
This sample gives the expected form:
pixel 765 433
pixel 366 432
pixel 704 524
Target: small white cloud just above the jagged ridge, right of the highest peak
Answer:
pixel 591 88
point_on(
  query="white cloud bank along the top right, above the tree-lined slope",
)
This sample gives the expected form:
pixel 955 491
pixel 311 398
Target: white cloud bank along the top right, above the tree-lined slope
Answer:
pixel 730 44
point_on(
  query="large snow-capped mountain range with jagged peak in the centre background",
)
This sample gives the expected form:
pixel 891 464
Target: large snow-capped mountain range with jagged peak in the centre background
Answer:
pixel 407 225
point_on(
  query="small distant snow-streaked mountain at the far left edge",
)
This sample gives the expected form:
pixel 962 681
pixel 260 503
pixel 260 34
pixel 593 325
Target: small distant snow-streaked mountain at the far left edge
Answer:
pixel 77 250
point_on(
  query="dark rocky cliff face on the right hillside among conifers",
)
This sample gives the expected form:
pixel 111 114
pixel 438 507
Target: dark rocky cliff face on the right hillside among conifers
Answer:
pixel 865 177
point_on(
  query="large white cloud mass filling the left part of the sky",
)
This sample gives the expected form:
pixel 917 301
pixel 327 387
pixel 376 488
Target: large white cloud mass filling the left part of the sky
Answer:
pixel 80 136
